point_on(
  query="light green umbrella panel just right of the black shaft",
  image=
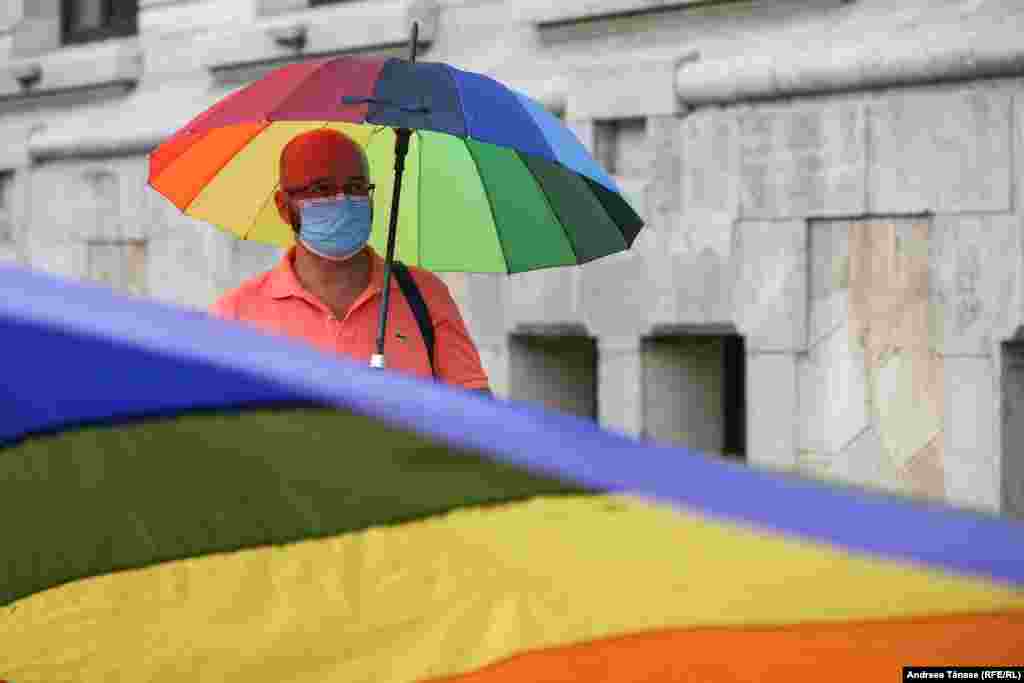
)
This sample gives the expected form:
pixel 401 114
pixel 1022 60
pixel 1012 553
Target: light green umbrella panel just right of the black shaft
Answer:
pixel 460 230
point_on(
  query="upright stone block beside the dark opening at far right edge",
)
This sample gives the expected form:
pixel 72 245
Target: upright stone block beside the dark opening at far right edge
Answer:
pixel 970 465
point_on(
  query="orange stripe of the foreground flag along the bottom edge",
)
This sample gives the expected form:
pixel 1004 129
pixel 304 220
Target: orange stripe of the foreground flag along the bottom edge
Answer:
pixel 859 652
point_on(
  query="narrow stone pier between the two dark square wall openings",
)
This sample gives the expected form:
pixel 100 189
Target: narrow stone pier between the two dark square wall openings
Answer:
pixel 621 386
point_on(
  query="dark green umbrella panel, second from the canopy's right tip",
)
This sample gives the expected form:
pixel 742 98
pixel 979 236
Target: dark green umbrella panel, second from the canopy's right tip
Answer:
pixel 590 230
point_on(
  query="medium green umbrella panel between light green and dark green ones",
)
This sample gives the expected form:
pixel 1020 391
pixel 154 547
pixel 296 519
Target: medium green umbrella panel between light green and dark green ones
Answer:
pixel 530 232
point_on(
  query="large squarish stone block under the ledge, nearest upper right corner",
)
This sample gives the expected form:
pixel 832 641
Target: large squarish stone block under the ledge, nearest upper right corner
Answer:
pixel 945 152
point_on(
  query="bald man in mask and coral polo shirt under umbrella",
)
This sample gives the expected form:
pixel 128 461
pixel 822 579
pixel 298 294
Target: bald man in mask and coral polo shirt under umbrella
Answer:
pixel 327 288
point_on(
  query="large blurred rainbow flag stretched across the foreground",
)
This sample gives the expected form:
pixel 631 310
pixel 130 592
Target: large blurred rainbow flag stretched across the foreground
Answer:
pixel 185 498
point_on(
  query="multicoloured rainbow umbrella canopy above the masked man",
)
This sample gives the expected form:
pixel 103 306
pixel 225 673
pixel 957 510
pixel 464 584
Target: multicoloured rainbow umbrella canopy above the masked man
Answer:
pixel 493 182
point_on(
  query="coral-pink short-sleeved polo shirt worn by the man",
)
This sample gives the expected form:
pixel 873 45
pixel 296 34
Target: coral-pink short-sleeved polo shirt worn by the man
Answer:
pixel 277 303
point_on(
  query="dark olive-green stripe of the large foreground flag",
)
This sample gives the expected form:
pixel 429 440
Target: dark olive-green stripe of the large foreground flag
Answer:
pixel 108 498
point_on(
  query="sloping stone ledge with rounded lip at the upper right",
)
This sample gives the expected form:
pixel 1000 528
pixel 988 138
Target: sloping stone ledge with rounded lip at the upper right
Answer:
pixel 829 54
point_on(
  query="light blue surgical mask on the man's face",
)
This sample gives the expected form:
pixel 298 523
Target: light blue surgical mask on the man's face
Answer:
pixel 335 228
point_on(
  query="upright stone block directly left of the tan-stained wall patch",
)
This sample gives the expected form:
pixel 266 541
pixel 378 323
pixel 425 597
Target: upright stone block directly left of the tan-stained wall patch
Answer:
pixel 771 293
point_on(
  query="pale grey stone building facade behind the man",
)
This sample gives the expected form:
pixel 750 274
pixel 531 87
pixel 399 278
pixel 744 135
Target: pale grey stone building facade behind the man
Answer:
pixel 831 278
